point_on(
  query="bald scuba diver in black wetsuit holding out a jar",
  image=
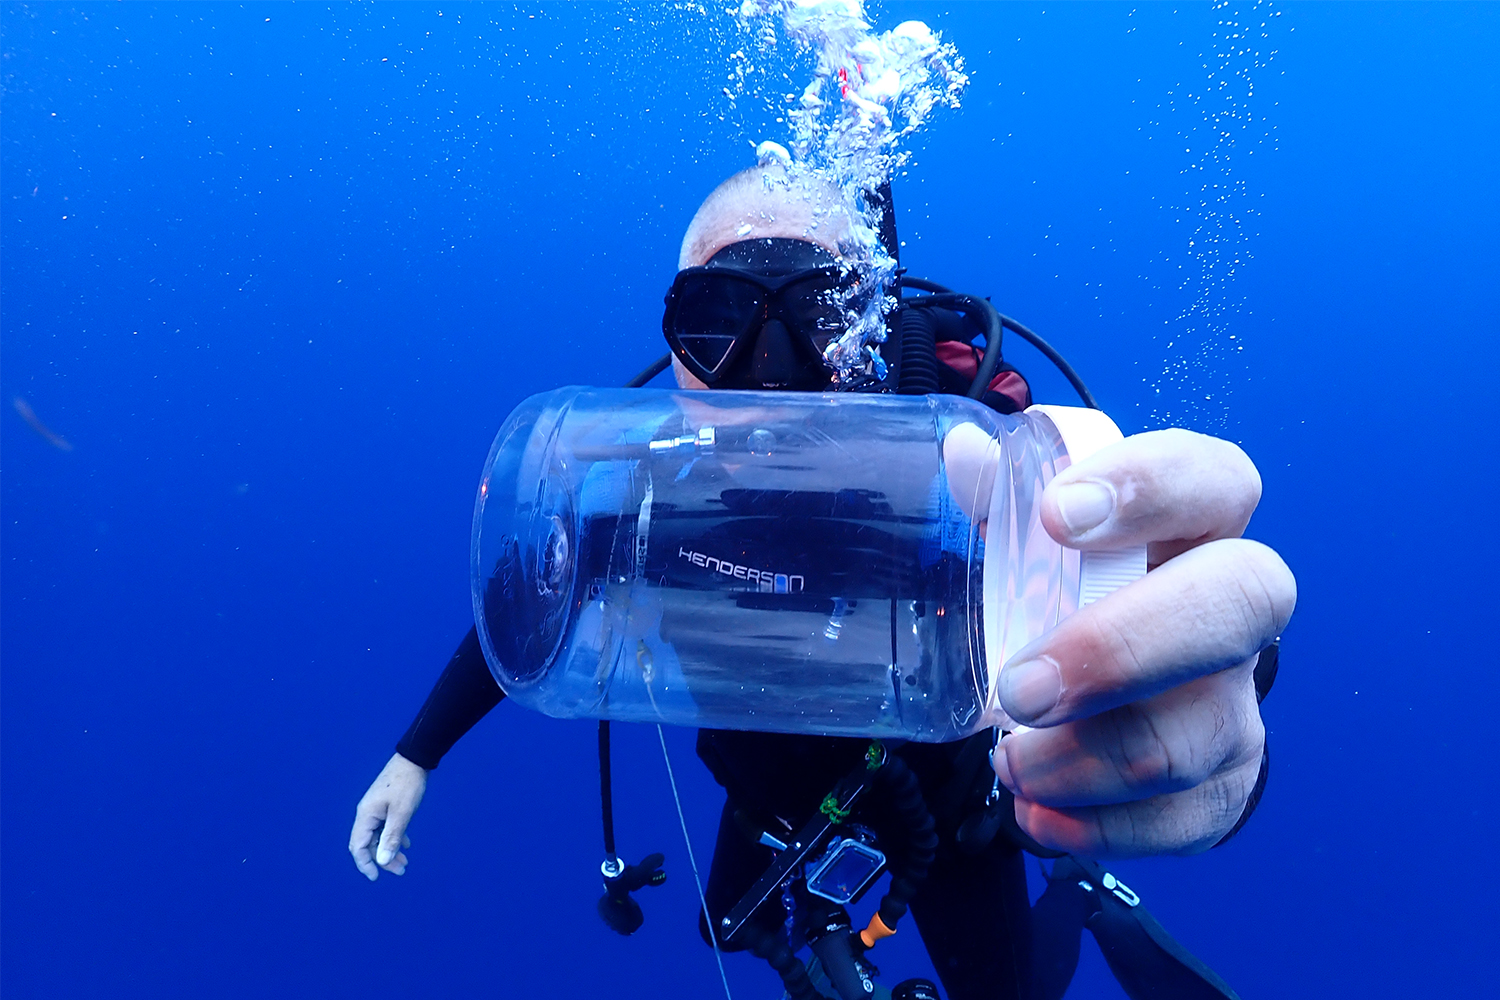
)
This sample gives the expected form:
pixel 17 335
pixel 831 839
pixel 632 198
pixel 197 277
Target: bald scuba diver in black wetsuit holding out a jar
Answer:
pixel 1145 734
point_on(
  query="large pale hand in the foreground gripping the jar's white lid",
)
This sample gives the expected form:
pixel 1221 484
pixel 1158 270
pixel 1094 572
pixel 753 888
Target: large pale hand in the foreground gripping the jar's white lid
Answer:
pixel 1148 734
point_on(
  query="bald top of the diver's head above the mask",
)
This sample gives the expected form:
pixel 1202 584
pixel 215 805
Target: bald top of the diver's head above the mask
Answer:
pixel 761 203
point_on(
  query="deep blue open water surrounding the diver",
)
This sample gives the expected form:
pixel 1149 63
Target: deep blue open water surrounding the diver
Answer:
pixel 280 272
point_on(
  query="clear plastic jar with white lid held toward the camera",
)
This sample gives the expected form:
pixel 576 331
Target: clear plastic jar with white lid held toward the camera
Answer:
pixel 799 563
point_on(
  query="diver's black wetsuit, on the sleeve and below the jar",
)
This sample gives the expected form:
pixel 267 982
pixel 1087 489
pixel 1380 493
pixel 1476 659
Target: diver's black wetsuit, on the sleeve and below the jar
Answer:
pixel 985 939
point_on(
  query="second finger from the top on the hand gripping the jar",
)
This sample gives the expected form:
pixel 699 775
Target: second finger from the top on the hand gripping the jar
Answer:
pixel 1205 611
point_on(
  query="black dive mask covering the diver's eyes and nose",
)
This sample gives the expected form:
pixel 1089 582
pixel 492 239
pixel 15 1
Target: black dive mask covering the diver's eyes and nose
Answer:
pixel 760 316
